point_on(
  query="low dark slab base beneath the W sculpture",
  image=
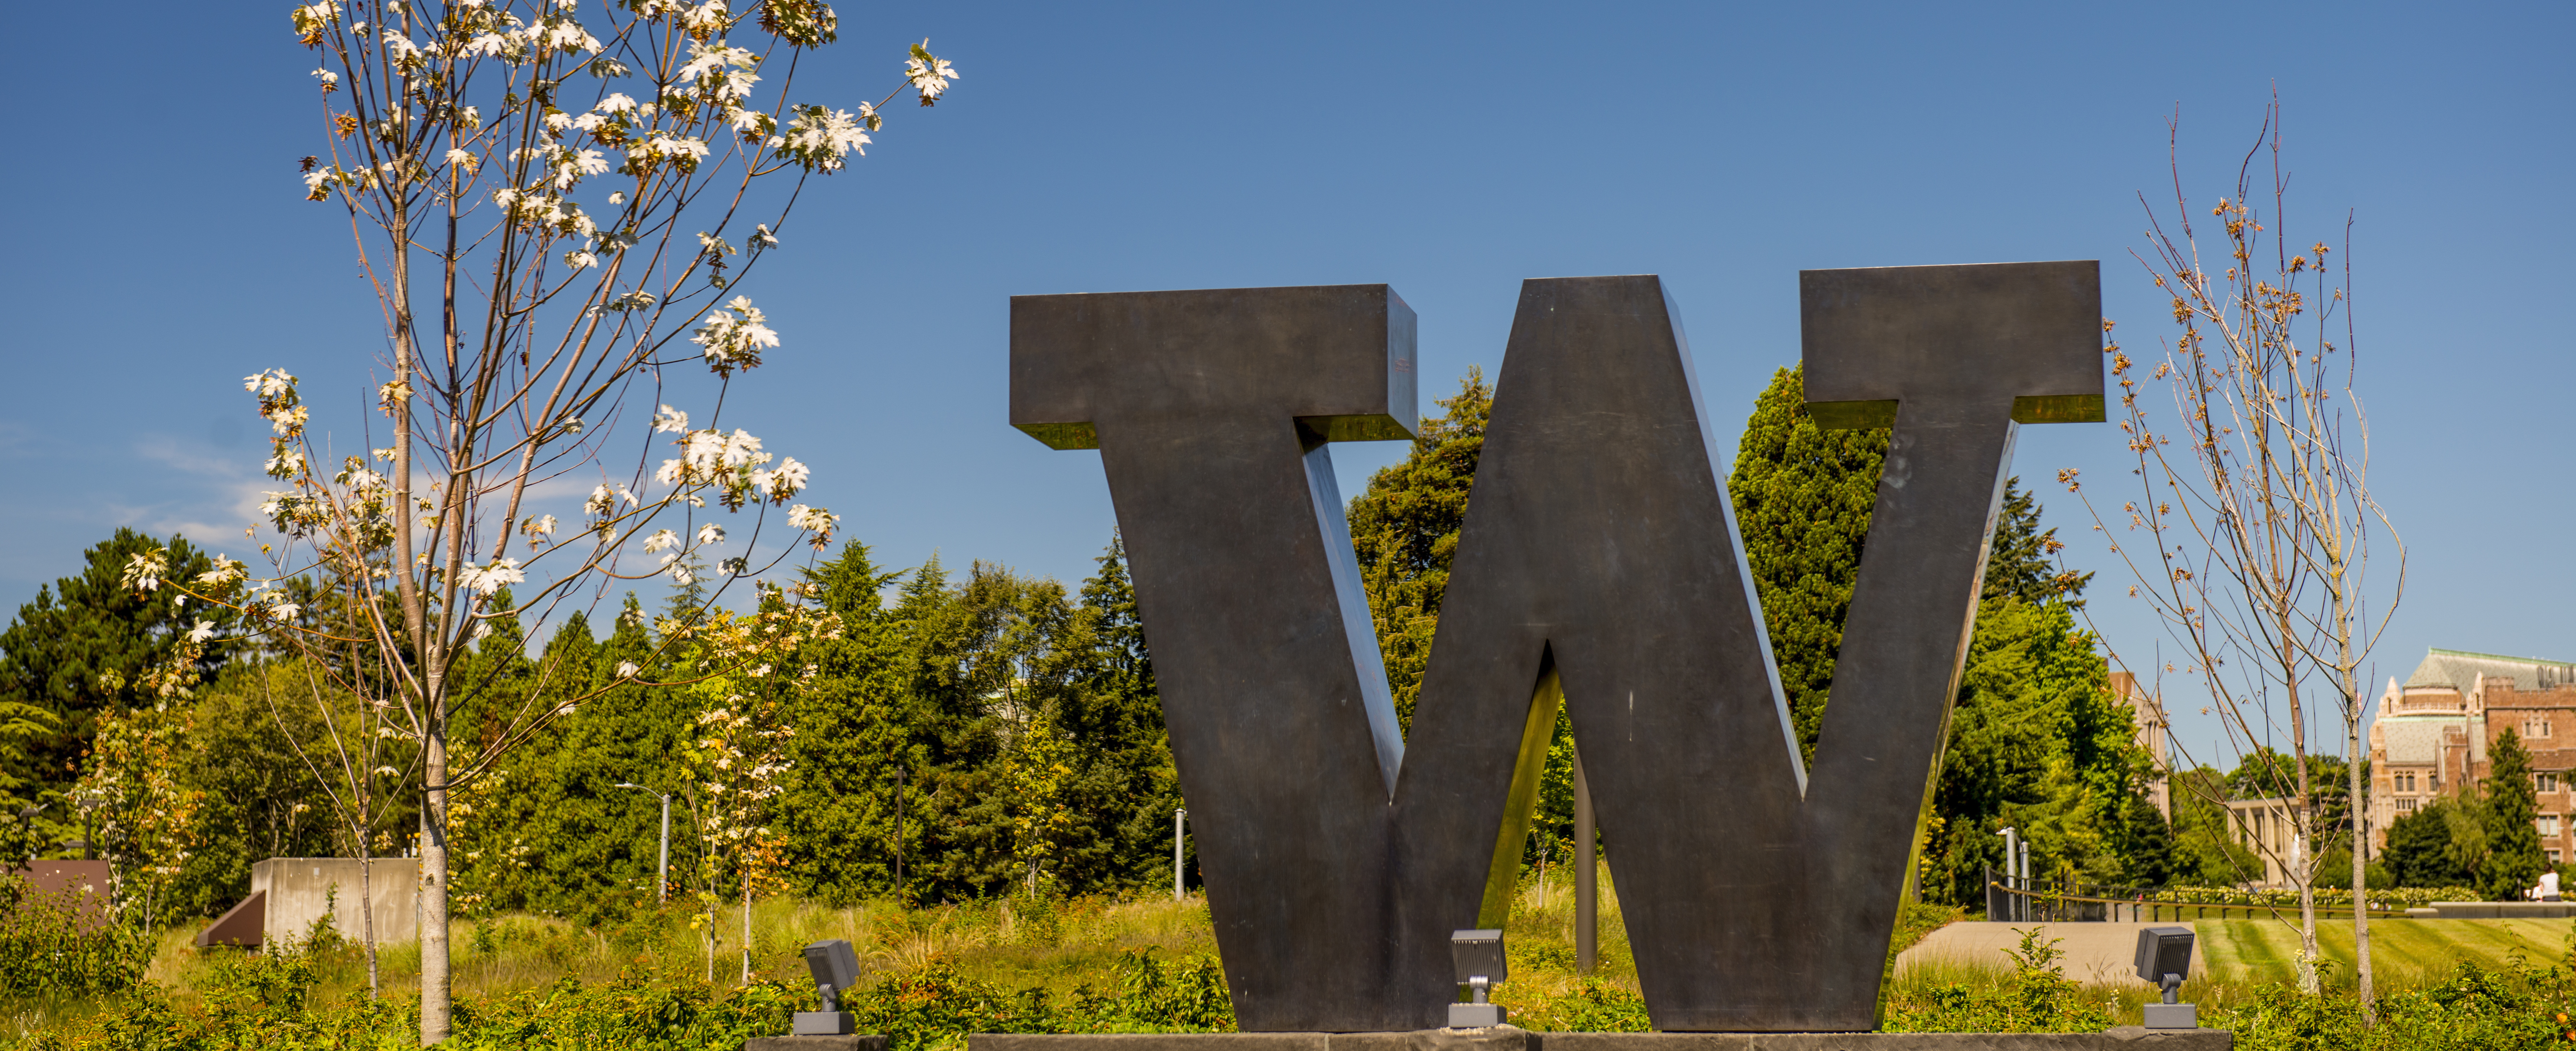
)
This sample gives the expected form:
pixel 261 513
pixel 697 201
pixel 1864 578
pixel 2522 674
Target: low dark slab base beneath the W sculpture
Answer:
pixel 1513 1039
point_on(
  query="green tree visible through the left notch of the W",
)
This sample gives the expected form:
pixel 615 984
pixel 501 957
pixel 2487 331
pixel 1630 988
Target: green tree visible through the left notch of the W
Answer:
pixel 1405 529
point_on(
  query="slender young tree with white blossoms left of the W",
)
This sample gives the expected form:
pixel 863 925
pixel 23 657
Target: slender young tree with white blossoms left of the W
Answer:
pixel 555 210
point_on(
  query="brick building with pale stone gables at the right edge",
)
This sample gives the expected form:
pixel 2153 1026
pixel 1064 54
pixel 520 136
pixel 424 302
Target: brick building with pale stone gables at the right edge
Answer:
pixel 2430 735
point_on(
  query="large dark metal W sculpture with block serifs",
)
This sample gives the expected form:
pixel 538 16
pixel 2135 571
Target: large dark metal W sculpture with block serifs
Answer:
pixel 1598 571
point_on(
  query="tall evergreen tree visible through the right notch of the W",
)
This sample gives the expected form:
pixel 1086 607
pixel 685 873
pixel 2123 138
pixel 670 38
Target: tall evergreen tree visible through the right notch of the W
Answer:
pixel 1804 501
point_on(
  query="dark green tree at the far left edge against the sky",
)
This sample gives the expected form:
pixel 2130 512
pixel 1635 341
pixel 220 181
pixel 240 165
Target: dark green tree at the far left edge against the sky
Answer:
pixel 84 645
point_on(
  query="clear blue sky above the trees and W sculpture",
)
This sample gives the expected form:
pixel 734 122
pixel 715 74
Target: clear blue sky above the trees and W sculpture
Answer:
pixel 1452 151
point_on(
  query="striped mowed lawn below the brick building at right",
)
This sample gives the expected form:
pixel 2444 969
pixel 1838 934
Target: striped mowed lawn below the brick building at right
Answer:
pixel 2402 952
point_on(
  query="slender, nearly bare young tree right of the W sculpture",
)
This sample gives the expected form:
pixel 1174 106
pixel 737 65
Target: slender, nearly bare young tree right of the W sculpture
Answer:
pixel 2253 501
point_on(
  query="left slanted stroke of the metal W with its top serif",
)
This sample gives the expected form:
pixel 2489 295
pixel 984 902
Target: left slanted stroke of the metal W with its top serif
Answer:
pixel 1212 413
